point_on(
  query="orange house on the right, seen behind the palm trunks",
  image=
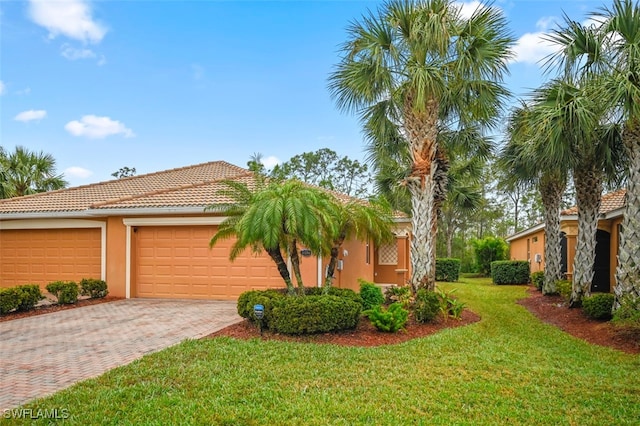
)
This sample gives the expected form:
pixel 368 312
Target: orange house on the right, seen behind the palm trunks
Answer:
pixel 529 244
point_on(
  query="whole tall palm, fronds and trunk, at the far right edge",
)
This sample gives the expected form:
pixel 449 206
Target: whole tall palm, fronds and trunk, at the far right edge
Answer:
pixel 621 26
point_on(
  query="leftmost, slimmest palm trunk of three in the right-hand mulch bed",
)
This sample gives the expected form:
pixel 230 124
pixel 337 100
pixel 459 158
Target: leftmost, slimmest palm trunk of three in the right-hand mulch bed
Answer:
pixel 551 190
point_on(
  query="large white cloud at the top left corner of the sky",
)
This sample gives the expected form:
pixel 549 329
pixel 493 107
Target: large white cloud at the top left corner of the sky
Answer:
pixel 70 18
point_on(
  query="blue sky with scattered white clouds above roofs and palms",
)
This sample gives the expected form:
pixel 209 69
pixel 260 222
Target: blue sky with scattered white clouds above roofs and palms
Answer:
pixel 158 84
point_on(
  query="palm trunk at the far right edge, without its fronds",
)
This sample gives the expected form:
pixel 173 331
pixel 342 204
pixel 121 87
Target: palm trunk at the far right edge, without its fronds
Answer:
pixel 628 272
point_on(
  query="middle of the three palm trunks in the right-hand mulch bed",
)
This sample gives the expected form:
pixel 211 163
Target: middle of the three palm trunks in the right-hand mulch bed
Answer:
pixel 588 184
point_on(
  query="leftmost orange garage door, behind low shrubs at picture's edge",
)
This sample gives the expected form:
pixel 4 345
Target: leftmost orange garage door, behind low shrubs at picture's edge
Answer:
pixel 44 255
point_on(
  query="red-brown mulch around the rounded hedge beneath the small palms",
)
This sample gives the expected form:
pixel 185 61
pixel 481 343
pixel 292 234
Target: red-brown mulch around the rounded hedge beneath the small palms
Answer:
pixel 365 334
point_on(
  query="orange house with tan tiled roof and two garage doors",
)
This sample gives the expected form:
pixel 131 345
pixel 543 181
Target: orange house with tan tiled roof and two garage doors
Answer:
pixel 148 236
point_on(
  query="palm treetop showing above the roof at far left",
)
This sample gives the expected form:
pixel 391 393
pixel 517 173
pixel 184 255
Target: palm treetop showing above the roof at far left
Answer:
pixel 25 172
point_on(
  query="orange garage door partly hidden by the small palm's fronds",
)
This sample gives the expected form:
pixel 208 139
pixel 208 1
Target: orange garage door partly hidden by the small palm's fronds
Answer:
pixel 176 262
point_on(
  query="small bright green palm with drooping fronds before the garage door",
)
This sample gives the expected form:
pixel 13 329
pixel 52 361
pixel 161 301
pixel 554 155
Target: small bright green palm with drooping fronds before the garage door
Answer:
pixel 275 217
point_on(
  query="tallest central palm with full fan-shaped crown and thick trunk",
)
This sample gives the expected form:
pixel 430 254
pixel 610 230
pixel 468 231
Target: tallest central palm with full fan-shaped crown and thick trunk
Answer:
pixel 415 65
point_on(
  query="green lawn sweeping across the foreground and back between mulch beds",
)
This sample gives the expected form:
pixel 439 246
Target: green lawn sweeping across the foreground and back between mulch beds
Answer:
pixel 507 368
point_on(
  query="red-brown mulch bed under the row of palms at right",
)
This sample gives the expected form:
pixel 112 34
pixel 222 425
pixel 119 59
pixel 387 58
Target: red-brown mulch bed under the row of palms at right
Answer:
pixel 552 310
